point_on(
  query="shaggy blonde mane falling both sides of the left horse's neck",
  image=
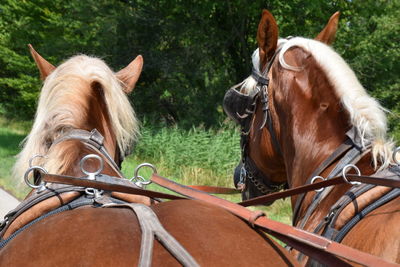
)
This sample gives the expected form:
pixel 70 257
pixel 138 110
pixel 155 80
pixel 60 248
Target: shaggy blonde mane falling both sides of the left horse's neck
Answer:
pixel 63 104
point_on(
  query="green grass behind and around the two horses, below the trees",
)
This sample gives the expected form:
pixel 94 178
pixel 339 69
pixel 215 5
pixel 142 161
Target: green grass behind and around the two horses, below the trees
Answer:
pixel 197 156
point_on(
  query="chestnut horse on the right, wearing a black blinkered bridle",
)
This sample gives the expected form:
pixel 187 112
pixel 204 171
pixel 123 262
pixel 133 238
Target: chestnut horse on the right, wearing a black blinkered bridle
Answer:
pixel 301 103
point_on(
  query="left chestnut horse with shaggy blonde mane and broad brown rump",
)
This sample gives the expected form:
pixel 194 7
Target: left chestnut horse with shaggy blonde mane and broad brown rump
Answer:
pixel 84 94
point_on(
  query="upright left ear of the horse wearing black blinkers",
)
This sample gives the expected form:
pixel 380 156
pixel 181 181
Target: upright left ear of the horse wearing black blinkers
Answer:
pixel 267 38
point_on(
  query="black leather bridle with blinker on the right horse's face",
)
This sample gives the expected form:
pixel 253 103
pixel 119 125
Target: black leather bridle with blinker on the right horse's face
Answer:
pixel 241 108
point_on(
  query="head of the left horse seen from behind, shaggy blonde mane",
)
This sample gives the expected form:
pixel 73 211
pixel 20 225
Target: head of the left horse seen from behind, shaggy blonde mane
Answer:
pixel 81 98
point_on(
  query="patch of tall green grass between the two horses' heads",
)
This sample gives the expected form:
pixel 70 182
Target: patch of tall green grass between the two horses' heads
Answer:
pixel 207 156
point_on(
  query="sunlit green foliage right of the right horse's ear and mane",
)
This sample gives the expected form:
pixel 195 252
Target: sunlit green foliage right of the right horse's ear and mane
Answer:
pixel 370 40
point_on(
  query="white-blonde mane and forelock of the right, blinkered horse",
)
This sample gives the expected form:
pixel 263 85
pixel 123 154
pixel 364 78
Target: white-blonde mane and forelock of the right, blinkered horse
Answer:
pixel 366 114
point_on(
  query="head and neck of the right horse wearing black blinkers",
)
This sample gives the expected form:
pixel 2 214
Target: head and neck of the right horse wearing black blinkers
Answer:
pixel 304 98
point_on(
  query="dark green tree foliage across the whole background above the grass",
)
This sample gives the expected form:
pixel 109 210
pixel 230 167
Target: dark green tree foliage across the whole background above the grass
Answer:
pixel 193 50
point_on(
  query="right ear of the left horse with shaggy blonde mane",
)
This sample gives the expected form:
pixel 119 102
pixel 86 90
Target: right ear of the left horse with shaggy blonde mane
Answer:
pixel 130 74
